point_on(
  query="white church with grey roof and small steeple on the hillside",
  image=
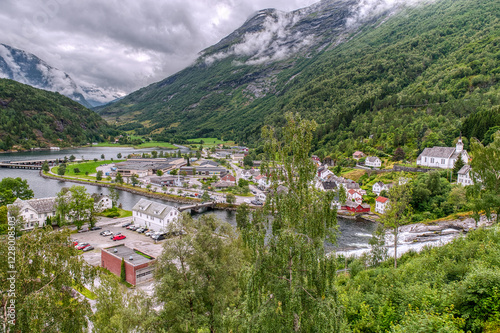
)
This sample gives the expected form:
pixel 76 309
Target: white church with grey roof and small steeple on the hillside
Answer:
pixel 443 157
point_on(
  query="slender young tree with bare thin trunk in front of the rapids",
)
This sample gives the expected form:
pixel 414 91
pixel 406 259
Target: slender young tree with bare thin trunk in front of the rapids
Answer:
pixel 398 212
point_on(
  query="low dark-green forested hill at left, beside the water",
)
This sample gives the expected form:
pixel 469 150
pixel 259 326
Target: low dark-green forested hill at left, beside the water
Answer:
pixel 31 117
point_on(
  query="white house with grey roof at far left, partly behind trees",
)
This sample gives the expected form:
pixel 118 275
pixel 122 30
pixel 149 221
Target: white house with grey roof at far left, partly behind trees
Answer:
pixel 34 212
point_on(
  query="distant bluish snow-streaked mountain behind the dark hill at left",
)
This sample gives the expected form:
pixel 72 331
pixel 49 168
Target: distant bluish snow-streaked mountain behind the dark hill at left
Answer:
pixel 27 68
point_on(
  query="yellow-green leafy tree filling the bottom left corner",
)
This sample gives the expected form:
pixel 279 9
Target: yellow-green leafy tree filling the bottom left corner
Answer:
pixel 45 270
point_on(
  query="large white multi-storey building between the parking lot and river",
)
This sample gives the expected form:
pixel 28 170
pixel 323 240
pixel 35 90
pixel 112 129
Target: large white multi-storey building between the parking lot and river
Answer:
pixel 154 215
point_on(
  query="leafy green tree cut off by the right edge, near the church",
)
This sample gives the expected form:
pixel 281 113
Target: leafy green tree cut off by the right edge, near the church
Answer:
pixel 486 176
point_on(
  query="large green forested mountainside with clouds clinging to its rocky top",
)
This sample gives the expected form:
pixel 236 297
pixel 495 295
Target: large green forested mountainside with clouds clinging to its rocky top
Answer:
pixel 374 74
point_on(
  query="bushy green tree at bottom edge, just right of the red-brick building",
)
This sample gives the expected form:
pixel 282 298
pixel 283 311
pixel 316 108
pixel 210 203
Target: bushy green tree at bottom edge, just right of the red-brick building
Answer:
pixel 198 277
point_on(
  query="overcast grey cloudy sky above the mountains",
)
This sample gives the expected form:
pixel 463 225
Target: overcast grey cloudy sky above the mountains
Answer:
pixel 124 44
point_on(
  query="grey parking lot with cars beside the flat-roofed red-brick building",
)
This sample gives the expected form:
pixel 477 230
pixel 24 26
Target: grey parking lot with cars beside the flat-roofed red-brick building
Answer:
pixel 133 240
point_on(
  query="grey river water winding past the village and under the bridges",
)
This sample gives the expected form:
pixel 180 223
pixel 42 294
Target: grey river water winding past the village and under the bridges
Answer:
pixel 353 235
